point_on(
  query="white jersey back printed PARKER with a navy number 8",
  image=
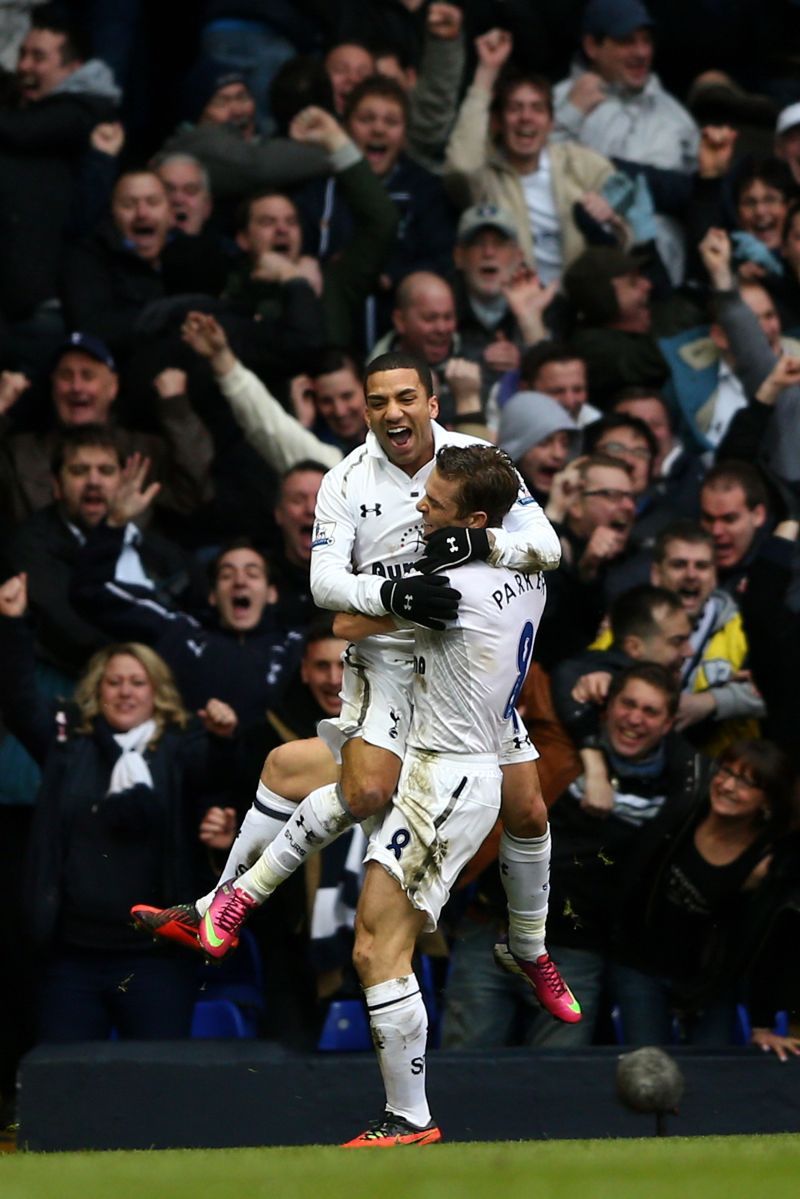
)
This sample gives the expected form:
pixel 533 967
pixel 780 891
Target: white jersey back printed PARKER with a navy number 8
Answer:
pixel 468 678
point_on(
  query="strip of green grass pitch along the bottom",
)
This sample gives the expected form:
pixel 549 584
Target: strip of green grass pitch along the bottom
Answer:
pixel 705 1167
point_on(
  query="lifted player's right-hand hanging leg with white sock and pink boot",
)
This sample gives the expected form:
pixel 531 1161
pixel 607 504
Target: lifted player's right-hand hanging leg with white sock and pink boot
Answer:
pixel 525 860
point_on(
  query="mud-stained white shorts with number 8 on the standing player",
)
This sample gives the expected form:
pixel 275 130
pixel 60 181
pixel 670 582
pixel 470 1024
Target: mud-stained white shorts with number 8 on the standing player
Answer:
pixel 442 814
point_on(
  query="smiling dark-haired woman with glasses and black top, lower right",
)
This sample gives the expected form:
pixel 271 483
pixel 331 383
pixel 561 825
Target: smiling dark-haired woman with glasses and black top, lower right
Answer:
pixel 693 919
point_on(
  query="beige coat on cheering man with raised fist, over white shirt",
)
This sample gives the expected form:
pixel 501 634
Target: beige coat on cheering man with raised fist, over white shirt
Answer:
pixel 477 173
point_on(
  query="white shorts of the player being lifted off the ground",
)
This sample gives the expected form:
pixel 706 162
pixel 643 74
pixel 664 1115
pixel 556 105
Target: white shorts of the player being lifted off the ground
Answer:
pixel 376 706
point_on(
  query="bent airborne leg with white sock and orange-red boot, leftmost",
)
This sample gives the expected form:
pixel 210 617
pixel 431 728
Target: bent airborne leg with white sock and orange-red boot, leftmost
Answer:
pixel 290 774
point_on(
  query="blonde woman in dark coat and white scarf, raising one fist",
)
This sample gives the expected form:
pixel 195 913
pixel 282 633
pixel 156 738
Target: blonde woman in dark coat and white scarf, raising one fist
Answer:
pixel 117 818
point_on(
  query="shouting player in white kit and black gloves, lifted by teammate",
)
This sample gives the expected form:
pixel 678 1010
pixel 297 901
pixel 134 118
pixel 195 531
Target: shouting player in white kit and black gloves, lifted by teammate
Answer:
pixel 368 538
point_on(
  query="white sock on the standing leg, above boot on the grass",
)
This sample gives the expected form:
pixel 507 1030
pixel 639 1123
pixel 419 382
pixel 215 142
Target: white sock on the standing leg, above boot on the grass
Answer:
pixel 400 1033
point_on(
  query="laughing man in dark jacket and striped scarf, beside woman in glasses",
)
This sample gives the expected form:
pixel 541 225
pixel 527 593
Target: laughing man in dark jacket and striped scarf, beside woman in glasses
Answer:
pixel 652 770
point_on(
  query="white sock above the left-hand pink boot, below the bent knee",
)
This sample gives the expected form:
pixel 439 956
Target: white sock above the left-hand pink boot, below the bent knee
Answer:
pixel 316 823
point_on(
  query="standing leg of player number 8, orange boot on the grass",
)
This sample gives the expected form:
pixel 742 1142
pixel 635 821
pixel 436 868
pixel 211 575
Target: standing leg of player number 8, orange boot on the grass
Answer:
pixel 386 935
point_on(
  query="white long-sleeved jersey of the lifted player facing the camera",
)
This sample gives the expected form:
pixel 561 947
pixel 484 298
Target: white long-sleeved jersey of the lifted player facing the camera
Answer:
pixel 368 531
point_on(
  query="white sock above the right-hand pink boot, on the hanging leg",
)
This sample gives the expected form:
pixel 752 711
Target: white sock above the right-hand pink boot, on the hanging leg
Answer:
pixel 526 871
